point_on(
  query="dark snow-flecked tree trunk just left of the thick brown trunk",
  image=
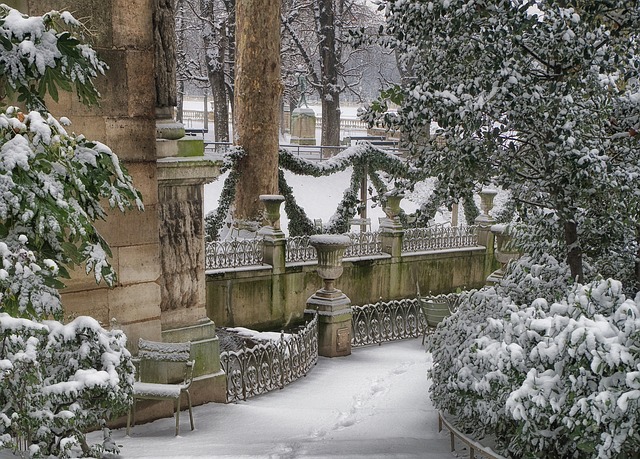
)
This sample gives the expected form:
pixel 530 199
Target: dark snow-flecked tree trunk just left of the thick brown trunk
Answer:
pixel 216 43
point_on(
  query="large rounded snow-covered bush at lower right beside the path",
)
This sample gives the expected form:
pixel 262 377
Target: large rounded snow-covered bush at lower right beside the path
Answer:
pixel 548 377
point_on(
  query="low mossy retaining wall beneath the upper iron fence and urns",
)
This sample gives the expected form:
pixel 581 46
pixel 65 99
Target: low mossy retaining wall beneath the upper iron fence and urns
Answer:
pixel 258 298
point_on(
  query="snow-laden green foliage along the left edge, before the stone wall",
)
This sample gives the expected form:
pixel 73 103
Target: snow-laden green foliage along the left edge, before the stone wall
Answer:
pixel 55 380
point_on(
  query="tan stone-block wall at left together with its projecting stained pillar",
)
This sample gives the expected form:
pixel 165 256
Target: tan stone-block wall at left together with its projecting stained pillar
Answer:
pixel 158 254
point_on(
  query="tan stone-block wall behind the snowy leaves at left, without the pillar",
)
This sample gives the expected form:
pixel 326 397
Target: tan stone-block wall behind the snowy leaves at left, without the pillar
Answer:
pixel 121 32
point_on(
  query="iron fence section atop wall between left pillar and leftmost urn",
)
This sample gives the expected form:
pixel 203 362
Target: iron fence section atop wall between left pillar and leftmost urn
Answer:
pixel 233 253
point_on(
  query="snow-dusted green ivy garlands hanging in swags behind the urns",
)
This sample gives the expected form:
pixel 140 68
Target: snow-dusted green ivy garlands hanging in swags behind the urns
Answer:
pixel 365 160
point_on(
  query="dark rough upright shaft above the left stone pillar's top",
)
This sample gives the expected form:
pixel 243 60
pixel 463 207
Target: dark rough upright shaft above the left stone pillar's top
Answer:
pixel 164 29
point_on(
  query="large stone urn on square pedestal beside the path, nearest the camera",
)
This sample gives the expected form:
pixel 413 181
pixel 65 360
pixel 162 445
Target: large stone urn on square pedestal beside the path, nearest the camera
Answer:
pixel 332 306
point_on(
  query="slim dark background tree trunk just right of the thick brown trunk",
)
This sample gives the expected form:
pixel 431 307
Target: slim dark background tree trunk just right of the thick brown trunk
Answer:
pixel 330 92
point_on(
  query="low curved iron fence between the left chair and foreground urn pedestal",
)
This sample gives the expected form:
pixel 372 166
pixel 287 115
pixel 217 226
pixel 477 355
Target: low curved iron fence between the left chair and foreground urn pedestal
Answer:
pixel 272 365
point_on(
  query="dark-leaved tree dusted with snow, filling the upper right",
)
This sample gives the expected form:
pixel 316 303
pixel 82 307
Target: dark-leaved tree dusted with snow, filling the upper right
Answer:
pixel 539 97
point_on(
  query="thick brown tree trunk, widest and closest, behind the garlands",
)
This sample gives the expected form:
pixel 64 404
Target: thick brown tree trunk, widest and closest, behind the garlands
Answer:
pixel 257 101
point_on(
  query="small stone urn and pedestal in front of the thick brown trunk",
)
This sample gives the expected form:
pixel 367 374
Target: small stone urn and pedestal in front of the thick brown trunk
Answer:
pixel 274 240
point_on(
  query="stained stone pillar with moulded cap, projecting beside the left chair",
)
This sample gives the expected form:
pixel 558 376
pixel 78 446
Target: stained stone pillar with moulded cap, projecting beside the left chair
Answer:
pixel 183 283
